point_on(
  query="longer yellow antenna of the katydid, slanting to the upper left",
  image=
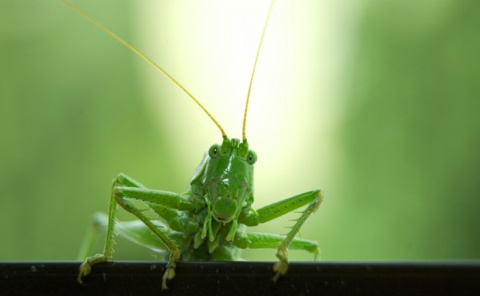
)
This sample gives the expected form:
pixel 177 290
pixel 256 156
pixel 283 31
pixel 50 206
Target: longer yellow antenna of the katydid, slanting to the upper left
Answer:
pixel 144 57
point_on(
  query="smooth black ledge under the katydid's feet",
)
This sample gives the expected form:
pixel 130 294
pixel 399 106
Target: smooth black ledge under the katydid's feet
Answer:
pixel 243 278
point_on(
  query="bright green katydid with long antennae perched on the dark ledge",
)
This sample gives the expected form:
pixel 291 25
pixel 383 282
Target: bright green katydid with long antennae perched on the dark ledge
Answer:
pixel 207 222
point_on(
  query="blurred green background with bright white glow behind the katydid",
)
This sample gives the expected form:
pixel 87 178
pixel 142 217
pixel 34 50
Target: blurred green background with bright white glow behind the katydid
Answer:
pixel 378 106
